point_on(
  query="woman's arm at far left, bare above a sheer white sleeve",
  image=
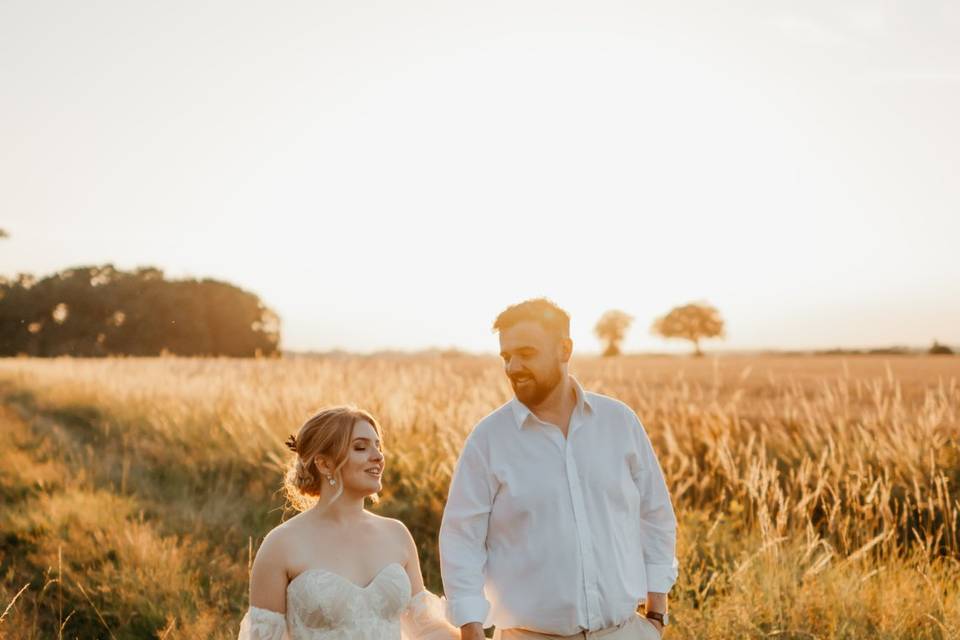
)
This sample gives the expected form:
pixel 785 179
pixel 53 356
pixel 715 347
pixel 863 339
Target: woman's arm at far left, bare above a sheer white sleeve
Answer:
pixel 265 620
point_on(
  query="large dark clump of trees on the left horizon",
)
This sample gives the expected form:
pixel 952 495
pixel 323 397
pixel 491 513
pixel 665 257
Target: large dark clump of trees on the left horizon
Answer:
pixel 96 311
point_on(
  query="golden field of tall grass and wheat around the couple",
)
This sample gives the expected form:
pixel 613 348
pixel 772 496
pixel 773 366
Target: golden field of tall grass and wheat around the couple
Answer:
pixel 817 497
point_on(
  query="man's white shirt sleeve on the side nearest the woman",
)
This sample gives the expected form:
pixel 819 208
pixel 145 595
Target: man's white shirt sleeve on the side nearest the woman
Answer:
pixel 463 538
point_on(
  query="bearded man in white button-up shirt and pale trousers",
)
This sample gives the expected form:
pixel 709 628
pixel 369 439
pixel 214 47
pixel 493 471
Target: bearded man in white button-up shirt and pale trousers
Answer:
pixel 558 523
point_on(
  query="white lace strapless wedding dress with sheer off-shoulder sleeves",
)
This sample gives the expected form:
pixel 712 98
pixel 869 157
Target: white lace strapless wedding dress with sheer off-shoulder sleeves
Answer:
pixel 325 606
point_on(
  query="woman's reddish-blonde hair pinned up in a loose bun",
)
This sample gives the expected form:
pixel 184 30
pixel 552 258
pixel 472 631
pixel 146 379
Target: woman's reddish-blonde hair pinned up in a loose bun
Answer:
pixel 327 434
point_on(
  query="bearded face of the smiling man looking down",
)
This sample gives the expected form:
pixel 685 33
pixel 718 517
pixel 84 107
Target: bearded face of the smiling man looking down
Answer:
pixel 533 360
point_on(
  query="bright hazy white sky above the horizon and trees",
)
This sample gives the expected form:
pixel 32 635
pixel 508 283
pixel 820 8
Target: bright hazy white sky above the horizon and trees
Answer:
pixel 393 174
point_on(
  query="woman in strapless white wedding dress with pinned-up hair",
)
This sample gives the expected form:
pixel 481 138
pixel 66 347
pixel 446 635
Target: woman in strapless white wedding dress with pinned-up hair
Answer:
pixel 335 571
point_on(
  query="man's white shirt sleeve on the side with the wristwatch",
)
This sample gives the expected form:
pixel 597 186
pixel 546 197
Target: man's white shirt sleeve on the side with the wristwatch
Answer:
pixel 658 523
